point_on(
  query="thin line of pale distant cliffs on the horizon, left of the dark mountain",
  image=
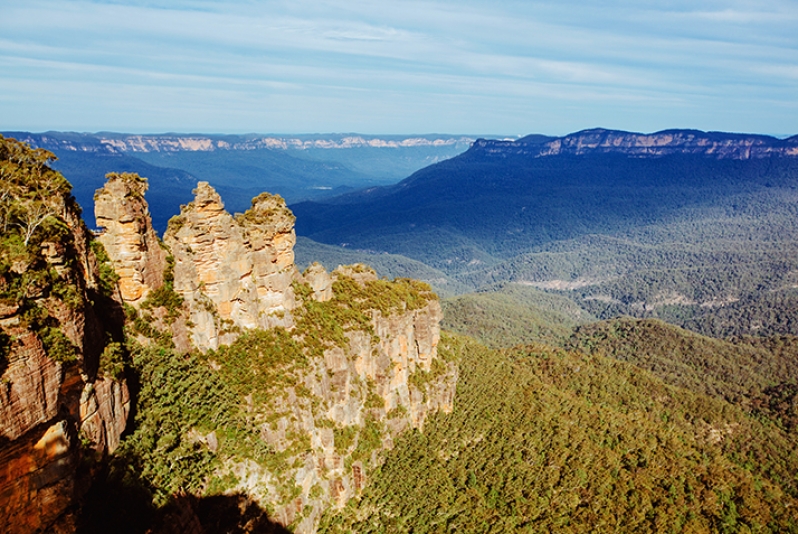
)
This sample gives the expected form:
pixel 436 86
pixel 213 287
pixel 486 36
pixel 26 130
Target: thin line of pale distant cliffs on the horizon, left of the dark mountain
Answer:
pixel 171 142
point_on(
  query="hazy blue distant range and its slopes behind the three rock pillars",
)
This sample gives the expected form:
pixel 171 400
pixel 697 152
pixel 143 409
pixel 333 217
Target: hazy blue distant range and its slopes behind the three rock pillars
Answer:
pixel 240 166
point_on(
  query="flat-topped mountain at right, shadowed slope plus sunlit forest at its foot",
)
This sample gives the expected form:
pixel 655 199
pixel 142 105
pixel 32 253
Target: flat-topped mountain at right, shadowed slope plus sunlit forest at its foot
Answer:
pixel 694 228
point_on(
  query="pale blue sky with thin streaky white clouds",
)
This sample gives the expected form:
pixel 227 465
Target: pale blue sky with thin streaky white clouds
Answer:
pixel 467 66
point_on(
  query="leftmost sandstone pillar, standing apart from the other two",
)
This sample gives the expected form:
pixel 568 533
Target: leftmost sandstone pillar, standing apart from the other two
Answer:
pixel 128 236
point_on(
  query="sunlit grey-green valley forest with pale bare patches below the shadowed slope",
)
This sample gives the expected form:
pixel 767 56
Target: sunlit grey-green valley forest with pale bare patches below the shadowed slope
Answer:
pixel 722 276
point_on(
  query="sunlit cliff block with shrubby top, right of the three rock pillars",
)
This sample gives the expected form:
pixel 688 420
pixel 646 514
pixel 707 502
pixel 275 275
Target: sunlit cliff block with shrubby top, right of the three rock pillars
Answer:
pixel 342 398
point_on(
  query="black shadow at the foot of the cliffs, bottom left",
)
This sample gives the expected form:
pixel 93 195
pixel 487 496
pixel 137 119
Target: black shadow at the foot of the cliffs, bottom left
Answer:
pixel 122 504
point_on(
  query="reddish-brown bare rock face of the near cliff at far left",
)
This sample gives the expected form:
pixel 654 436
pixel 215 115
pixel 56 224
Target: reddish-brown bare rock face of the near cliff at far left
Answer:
pixel 48 406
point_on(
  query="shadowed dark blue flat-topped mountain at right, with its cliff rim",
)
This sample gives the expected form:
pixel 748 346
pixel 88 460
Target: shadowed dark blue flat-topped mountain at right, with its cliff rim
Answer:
pixel 505 196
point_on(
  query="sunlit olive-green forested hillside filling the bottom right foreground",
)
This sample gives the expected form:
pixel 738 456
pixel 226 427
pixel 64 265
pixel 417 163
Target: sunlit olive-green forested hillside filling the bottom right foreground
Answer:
pixel 547 440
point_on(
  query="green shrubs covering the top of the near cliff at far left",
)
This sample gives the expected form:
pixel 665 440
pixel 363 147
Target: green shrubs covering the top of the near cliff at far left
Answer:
pixel 38 250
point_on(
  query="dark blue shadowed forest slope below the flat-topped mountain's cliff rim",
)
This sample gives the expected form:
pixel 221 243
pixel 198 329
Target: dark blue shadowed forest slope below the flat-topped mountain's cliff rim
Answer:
pixel 505 203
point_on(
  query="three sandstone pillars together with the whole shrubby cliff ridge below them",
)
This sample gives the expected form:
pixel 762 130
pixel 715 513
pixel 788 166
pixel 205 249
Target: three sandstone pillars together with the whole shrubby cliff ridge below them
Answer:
pixel 321 371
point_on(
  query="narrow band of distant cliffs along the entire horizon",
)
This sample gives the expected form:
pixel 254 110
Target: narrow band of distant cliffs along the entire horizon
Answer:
pixel 591 141
